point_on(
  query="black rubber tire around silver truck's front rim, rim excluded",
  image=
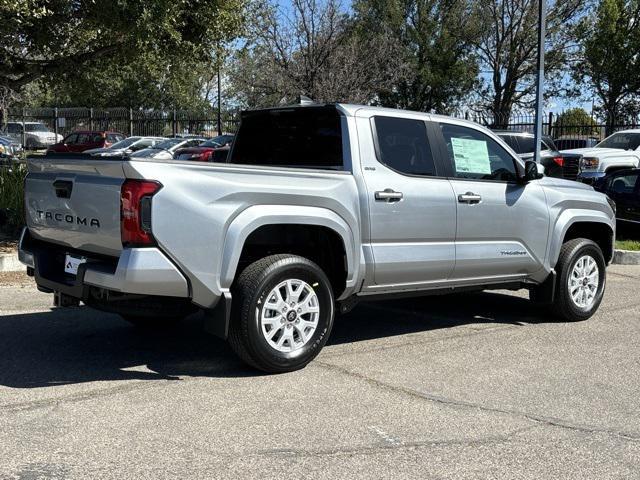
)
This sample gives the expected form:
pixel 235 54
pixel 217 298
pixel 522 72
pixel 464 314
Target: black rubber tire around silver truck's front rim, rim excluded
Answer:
pixel 563 305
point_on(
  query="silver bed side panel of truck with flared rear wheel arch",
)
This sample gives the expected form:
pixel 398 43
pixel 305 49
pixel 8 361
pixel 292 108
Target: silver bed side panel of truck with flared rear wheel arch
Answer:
pixel 203 213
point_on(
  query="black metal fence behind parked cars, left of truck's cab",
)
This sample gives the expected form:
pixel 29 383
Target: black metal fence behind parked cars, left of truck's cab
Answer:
pixel 149 122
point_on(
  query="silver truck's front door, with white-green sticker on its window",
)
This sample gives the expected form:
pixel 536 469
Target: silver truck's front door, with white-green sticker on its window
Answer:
pixel 503 225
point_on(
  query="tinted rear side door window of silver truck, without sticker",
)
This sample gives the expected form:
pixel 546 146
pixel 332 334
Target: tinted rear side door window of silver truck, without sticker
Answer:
pixel 402 145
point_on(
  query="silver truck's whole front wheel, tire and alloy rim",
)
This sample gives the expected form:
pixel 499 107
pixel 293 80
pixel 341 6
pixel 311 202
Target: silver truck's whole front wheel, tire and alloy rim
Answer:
pixel 581 280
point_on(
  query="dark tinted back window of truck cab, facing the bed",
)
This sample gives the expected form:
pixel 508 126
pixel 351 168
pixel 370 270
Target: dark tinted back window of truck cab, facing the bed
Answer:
pixel 301 137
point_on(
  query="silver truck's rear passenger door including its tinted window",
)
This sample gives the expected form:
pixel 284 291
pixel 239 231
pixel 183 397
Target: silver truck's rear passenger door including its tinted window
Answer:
pixel 412 210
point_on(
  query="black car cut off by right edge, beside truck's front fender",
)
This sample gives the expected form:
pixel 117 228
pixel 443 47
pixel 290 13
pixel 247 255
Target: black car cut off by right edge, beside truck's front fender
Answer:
pixel 623 186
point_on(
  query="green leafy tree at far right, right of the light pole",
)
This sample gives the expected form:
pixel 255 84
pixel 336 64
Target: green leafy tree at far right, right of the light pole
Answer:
pixel 610 60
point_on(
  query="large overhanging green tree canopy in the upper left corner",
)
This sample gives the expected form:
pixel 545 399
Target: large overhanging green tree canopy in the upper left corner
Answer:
pixel 103 46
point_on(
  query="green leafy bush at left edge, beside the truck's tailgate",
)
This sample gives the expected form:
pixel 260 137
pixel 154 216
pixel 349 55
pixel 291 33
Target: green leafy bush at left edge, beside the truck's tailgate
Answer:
pixel 11 197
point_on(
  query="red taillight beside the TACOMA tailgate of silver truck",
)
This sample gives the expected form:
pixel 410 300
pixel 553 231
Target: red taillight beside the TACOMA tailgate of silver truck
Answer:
pixel 135 212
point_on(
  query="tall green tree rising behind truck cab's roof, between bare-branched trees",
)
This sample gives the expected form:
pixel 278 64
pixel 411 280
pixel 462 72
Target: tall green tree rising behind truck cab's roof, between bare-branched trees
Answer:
pixel 434 39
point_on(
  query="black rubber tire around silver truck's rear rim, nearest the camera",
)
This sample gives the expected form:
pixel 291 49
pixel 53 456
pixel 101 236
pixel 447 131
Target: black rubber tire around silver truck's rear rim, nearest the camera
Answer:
pixel 250 293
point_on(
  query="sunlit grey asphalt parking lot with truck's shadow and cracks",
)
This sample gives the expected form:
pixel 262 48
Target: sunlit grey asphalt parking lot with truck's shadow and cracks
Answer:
pixel 466 386
